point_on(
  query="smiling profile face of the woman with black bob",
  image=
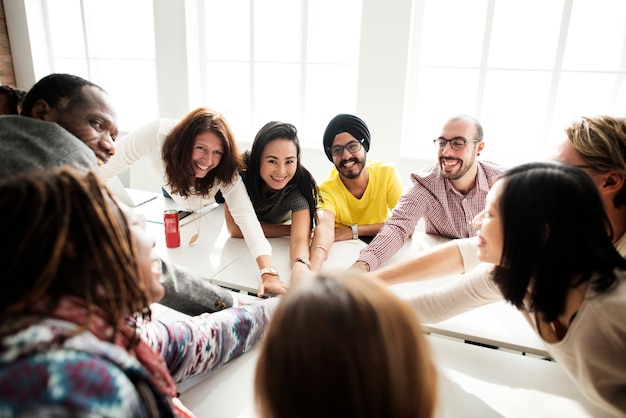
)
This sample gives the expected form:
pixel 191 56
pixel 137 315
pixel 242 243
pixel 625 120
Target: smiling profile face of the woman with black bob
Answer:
pixel 490 229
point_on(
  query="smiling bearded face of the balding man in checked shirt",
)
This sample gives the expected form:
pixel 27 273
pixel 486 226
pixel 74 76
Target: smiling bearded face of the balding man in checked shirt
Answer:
pixel 456 164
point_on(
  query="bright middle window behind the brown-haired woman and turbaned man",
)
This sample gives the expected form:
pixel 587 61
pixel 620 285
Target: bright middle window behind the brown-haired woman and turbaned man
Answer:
pixel 286 60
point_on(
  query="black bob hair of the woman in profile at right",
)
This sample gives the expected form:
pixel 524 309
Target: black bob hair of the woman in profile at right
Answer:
pixel 556 236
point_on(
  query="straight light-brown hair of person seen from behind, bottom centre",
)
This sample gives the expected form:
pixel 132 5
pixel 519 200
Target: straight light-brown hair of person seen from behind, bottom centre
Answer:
pixel 342 345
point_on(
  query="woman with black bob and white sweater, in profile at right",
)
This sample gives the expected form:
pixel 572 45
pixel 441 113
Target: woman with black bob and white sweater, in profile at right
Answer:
pixel 545 230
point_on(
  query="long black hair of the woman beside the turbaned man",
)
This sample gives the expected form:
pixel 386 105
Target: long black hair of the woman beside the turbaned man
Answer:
pixel 302 178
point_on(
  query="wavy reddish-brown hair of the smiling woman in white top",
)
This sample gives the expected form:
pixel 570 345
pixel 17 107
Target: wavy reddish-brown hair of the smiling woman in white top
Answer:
pixel 178 148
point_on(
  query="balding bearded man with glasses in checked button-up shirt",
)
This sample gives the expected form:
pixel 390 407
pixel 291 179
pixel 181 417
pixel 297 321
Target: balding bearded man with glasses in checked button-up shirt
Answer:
pixel 447 195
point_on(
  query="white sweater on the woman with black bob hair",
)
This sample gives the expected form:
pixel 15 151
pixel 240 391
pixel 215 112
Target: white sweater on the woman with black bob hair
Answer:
pixel 593 351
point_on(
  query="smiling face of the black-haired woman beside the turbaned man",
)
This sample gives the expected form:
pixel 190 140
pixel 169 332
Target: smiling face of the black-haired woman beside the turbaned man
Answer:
pixel 279 161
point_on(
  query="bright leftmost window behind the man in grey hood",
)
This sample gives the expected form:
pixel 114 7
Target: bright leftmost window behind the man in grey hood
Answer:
pixel 110 43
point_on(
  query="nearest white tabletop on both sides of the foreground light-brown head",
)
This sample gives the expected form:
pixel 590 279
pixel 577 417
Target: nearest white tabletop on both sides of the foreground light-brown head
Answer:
pixel 474 382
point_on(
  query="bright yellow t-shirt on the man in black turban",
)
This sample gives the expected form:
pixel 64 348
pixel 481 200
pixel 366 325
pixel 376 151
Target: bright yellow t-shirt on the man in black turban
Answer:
pixel 381 195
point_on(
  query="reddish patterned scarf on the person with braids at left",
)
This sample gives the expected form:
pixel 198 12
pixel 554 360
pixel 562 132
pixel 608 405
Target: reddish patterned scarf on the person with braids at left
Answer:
pixel 74 310
